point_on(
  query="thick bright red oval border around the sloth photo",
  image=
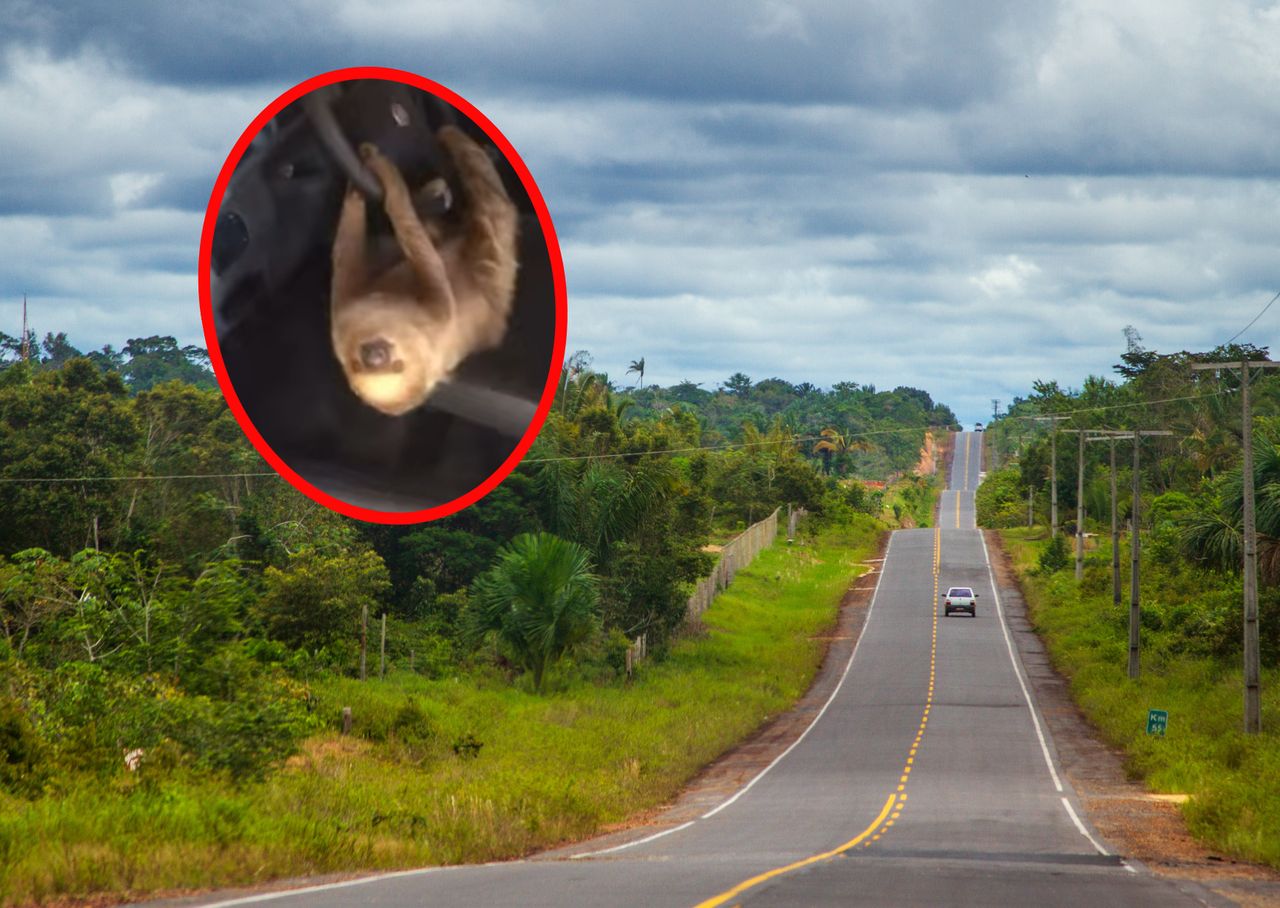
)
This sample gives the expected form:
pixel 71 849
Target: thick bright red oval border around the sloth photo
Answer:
pixel 207 311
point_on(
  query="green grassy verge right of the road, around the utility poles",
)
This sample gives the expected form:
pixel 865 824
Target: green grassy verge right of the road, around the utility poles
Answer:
pixel 1235 779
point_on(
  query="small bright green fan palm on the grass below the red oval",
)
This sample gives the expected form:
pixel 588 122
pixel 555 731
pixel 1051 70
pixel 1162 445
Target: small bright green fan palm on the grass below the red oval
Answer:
pixel 541 597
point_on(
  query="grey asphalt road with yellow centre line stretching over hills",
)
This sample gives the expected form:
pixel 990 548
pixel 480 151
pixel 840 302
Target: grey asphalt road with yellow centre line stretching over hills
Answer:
pixel 929 779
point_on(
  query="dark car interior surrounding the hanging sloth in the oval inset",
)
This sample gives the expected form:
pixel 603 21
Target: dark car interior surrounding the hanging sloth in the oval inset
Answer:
pixel 271 300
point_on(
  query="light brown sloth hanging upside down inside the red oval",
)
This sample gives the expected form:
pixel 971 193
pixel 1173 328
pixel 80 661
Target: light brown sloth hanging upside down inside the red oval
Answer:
pixel 399 334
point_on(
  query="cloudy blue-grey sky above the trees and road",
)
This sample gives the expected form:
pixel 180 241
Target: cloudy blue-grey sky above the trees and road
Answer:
pixel 956 197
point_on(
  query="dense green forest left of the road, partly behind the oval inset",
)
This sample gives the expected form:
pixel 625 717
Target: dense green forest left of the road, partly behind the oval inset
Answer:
pixel 162 588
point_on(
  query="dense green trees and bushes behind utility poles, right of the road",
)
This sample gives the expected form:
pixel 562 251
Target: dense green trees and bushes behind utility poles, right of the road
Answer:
pixel 1191 482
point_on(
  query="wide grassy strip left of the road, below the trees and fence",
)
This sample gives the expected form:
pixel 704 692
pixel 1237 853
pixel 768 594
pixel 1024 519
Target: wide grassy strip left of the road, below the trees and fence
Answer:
pixel 399 793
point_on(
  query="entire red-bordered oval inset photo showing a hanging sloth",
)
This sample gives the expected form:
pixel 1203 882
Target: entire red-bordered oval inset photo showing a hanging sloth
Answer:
pixel 383 295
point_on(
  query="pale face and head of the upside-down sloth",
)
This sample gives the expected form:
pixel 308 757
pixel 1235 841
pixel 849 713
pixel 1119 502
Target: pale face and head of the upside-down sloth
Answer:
pixel 387 355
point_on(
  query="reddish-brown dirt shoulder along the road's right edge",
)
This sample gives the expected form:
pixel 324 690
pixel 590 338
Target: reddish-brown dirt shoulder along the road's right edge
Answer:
pixel 1140 825
